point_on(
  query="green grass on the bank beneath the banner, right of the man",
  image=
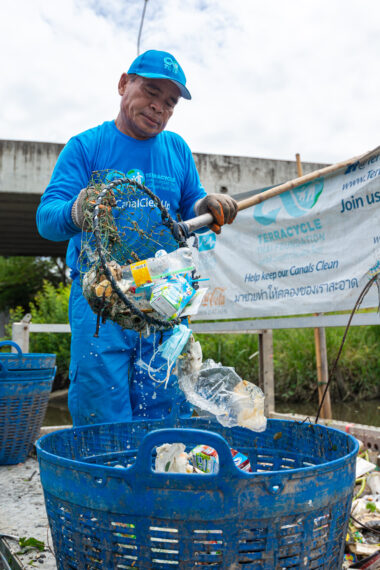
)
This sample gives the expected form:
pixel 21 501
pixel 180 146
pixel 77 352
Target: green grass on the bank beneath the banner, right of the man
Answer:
pixel 295 373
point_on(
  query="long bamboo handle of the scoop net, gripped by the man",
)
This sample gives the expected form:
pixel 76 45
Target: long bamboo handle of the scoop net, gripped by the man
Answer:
pixel 207 219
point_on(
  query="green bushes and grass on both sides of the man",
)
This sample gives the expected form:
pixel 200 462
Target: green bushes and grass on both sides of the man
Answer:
pixel 293 353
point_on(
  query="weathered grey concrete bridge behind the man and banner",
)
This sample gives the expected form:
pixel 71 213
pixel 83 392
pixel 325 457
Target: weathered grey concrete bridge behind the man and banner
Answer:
pixel 26 167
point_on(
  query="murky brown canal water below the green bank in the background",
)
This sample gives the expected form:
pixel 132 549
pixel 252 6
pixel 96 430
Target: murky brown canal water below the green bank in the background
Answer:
pixel 360 412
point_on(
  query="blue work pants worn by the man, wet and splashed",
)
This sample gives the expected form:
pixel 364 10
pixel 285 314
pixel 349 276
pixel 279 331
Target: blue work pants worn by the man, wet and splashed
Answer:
pixel 106 383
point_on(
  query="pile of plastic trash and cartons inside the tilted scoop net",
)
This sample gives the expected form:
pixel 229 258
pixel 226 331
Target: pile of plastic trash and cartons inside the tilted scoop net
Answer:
pixel 159 288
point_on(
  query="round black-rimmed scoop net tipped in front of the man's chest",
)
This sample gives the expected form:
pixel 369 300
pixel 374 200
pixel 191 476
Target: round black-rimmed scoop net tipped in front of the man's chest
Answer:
pixel 126 226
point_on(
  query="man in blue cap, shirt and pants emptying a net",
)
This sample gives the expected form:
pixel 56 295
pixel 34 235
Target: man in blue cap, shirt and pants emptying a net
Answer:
pixel 106 382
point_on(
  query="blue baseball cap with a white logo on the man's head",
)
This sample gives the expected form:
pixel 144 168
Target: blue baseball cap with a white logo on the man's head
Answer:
pixel 160 65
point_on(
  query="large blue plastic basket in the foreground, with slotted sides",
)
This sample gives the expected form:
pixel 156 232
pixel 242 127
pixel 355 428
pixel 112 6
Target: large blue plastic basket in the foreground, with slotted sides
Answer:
pixel 108 509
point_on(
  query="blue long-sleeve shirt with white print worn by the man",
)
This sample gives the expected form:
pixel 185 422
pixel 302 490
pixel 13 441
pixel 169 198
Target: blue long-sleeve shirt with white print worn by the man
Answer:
pixel 163 163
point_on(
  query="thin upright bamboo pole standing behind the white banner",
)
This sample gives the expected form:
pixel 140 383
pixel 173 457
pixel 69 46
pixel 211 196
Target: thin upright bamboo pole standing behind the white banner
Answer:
pixel 320 351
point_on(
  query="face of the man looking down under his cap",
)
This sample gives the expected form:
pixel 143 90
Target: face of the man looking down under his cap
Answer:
pixel 146 105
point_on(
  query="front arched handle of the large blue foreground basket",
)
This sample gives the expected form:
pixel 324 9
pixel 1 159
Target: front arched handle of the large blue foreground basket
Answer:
pixel 143 462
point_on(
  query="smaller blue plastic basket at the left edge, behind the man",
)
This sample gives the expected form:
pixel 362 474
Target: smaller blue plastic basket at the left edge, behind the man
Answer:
pixel 25 384
